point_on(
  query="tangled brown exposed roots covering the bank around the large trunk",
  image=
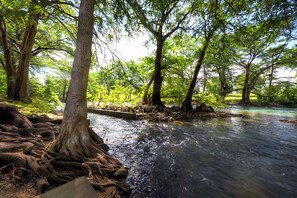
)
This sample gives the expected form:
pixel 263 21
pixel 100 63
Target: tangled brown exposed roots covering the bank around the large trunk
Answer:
pixel 28 168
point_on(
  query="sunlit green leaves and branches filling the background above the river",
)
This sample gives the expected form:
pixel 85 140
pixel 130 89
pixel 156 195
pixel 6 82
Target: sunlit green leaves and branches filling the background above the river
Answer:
pixel 258 33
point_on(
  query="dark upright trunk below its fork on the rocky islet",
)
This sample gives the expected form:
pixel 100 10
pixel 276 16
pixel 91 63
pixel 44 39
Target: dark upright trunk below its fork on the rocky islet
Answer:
pixel 158 78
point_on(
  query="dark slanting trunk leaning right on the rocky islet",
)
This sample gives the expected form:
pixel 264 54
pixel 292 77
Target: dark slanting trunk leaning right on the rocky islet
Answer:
pixel 187 103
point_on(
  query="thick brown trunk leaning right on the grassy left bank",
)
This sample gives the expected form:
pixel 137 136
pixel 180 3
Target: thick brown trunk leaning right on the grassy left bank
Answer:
pixel 21 87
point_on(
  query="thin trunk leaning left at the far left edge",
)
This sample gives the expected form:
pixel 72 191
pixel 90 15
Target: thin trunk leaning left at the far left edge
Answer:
pixel 9 67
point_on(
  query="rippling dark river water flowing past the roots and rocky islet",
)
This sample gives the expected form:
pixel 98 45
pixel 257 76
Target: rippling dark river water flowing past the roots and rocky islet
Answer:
pixel 255 156
